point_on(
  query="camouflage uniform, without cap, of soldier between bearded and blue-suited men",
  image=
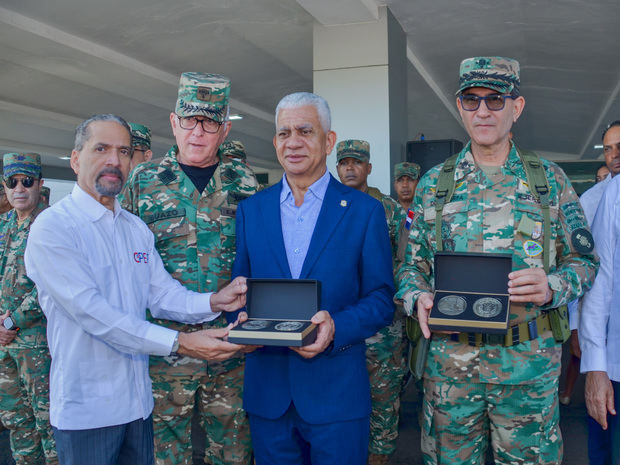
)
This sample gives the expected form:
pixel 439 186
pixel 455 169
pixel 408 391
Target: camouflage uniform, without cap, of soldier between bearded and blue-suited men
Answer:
pixel 195 236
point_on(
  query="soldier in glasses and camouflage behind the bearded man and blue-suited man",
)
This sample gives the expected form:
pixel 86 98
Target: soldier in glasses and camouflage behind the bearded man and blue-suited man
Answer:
pixel 189 201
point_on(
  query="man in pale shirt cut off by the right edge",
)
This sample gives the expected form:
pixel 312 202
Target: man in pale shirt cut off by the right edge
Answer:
pixel 599 326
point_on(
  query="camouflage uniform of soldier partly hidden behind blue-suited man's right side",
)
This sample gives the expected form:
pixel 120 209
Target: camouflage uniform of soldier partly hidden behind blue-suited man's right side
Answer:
pixel 385 354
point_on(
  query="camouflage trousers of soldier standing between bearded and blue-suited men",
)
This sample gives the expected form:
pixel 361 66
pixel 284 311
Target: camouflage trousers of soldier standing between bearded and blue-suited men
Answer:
pixel 218 393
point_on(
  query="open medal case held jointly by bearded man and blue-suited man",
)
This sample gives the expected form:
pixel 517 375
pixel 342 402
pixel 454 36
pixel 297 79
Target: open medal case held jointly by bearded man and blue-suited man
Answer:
pixel 279 313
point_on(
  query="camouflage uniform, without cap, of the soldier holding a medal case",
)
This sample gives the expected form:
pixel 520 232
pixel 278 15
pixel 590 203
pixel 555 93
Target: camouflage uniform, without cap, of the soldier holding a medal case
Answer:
pixel 487 214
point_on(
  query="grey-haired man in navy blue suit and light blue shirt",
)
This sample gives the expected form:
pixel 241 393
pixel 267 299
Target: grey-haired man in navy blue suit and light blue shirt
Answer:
pixel 311 405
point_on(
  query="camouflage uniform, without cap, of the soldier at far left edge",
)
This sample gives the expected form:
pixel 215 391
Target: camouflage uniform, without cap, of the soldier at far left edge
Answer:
pixel 25 362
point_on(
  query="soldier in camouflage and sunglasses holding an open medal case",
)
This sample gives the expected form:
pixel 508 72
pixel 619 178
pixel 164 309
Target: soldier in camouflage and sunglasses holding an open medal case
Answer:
pixel 502 387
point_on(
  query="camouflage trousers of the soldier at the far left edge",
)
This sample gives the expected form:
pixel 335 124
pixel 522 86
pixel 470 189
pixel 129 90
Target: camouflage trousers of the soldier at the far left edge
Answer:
pixel 24 404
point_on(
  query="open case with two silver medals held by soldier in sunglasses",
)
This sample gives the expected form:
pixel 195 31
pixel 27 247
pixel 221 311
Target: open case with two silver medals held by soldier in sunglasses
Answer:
pixel 471 292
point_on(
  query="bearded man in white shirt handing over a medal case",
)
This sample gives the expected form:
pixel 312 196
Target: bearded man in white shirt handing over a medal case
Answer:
pixel 97 271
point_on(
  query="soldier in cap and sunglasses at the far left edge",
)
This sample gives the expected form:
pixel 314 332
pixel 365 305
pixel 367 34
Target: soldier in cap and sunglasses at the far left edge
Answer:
pixel 24 355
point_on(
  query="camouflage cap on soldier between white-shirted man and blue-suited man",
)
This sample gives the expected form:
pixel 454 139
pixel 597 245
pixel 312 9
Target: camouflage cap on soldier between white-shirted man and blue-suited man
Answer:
pixel 203 94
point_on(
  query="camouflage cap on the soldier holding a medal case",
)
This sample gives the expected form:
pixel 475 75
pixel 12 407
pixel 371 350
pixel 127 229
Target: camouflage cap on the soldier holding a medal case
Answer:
pixel 496 73
